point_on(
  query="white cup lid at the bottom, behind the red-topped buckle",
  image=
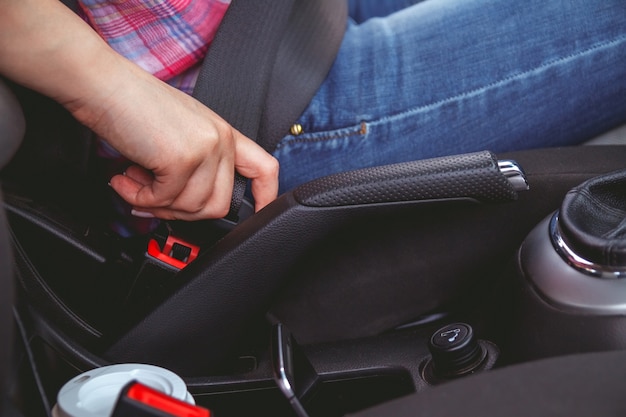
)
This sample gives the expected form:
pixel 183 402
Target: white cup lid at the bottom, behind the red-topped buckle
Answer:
pixel 94 393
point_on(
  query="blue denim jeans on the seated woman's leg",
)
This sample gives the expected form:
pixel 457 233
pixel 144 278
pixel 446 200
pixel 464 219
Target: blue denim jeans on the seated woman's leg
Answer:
pixel 436 77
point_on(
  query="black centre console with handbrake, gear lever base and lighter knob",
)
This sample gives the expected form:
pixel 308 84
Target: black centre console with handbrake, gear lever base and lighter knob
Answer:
pixel 482 287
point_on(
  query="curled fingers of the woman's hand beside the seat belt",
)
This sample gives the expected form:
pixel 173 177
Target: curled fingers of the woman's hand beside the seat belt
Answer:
pixel 201 190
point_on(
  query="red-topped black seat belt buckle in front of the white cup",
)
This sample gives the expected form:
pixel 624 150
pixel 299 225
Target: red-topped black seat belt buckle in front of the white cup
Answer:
pixel 139 400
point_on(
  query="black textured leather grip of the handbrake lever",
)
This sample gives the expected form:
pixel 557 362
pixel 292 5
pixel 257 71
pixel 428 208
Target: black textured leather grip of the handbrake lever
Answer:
pixel 474 176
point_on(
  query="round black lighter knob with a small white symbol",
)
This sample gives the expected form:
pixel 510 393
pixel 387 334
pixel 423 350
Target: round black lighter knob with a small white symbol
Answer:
pixel 455 350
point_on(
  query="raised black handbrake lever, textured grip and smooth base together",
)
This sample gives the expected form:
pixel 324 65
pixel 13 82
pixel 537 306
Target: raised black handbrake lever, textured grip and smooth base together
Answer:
pixel 192 331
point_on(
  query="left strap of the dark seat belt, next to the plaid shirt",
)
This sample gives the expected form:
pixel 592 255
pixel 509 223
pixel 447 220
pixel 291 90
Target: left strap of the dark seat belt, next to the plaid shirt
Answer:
pixel 236 72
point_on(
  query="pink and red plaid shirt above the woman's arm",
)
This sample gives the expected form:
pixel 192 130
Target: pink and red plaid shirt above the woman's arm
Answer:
pixel 168 38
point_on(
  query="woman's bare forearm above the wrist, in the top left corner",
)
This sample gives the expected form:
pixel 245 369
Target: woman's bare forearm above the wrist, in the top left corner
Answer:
pixel 46 47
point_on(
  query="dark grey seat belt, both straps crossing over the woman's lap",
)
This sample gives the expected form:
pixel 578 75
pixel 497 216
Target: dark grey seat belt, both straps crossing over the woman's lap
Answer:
pixel 263 50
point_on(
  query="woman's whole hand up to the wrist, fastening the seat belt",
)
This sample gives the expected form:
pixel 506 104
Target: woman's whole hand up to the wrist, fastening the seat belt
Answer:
pixel 186 154
